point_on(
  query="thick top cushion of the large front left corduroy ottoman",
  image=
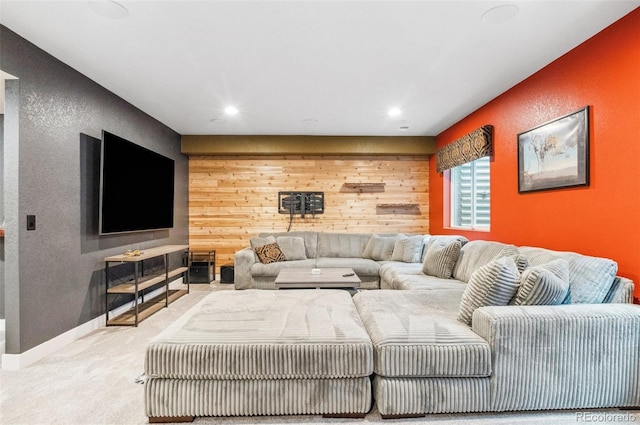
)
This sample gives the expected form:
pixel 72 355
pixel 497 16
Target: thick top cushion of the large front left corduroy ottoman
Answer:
pixel 254 334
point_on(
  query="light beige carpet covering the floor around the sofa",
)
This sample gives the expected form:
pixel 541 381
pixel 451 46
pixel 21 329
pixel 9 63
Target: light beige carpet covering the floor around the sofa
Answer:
pixel 93 381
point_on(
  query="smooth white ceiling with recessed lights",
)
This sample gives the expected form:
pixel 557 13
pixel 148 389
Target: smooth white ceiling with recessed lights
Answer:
pixel 309 67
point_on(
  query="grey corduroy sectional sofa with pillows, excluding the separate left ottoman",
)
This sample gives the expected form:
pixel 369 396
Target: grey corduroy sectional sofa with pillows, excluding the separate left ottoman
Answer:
pixel 461 326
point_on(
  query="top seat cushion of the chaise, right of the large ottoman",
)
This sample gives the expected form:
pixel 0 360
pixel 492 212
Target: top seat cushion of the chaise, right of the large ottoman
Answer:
pixel 416 334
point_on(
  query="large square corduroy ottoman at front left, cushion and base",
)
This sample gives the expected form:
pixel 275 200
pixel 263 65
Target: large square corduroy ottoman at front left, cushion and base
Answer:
pixel 256 352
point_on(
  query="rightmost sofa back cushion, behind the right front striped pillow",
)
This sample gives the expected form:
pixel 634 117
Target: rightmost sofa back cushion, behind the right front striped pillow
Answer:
pixel 590 278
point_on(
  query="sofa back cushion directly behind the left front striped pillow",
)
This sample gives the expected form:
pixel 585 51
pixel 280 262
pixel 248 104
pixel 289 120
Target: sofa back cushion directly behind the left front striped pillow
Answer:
pixel 476 254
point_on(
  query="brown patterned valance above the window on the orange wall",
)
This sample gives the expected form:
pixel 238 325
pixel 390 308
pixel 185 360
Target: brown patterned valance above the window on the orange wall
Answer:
pixel 474 145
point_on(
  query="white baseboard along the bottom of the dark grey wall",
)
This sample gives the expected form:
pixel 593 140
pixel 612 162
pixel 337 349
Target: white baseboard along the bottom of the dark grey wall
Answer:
pixel 22 360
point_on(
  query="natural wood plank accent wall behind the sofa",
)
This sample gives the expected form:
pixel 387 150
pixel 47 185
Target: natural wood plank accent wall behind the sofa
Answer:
pixel 233 198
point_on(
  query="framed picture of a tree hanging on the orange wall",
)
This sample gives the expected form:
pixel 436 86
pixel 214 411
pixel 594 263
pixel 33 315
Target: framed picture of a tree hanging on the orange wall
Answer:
pixel 555 154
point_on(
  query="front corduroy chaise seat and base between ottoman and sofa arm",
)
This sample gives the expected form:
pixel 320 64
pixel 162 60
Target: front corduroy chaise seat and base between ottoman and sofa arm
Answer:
pixel 426 361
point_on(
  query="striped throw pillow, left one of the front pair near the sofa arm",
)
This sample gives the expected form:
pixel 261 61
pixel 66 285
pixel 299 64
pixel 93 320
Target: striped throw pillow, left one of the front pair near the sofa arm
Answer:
pixel 494 283
